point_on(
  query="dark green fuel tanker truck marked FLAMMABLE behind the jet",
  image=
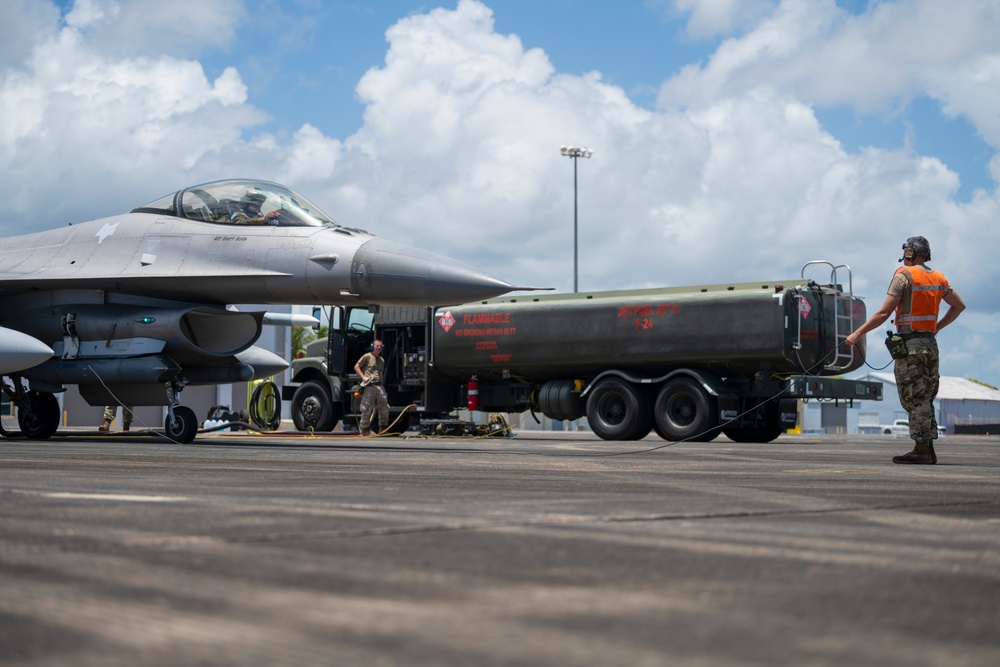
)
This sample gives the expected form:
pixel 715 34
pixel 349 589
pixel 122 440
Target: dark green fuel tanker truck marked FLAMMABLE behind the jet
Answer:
pixel 687 362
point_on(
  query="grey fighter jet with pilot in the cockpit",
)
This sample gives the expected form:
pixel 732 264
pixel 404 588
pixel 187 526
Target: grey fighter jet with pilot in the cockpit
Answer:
pixel 135 305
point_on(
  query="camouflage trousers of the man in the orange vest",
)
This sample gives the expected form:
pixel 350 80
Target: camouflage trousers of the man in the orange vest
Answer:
pixel 917 380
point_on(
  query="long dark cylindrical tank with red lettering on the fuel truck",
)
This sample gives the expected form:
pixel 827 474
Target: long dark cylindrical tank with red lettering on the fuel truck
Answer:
pixel 780 327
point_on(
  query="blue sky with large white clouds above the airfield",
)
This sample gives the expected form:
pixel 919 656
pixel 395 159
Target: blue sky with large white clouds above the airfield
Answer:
pixel 734 139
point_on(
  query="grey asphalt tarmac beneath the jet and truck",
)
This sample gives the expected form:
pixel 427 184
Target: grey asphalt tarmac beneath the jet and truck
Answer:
pixel 543 549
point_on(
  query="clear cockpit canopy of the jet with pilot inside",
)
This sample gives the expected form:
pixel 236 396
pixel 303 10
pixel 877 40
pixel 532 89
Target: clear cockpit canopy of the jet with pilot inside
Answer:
pixel 240 201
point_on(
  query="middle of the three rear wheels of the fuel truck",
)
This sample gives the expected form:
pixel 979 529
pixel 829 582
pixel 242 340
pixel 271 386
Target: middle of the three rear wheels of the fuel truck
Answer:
pixel 684 411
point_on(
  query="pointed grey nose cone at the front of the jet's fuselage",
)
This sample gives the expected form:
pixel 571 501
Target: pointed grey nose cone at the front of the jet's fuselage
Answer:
pixel 391 273
